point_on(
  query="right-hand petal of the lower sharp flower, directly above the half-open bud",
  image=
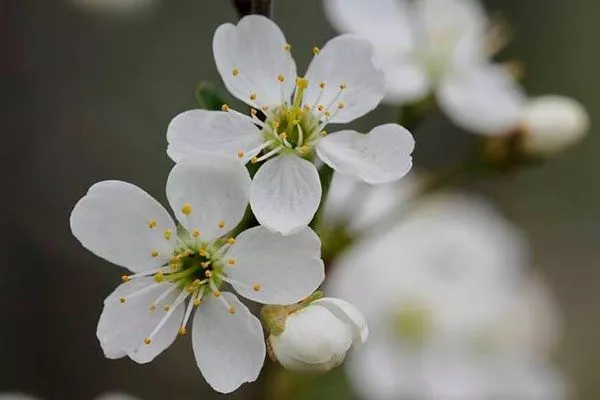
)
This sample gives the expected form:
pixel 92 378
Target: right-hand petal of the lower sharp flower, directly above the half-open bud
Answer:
pixel 287 268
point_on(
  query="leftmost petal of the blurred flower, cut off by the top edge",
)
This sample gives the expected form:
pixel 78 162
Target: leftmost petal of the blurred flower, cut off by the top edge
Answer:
pixel 387 25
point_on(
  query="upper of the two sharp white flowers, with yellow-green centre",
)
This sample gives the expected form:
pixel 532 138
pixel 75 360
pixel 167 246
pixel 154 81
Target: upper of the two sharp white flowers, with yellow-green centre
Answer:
pixel 341 84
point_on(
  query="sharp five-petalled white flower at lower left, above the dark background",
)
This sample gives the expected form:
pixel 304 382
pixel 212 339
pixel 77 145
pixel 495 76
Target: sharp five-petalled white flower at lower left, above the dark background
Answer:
pixel 123 224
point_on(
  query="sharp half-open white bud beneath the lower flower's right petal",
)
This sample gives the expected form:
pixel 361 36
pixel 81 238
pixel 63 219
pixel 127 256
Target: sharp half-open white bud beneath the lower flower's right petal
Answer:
pixel 318 336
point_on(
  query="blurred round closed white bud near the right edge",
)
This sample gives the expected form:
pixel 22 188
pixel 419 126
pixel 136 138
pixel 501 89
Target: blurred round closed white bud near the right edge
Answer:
pixel 552 123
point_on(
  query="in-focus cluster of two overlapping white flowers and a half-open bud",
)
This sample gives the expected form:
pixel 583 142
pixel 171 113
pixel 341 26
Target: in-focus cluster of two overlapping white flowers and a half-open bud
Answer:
pixel 192 264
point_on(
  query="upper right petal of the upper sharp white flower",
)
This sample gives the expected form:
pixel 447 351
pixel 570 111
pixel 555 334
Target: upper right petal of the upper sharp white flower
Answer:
pixel 348 60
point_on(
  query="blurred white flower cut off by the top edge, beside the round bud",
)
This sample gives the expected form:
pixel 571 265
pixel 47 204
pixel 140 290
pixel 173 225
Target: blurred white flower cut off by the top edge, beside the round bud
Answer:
pixel 436 46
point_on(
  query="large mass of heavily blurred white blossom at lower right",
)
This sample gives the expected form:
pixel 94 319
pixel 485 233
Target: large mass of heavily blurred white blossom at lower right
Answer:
pixel 450 314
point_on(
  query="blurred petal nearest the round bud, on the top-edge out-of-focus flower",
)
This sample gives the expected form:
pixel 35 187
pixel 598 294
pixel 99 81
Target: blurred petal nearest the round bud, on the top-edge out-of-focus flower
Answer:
pixel 484 100
